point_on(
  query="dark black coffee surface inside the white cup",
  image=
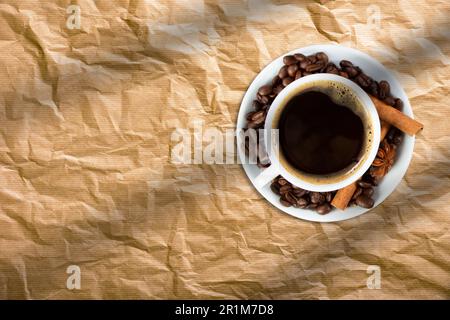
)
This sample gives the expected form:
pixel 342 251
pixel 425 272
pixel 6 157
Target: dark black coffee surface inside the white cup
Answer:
pixel 318 136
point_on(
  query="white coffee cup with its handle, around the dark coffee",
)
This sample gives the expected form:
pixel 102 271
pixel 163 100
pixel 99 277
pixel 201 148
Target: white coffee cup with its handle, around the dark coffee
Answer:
pixel 318 183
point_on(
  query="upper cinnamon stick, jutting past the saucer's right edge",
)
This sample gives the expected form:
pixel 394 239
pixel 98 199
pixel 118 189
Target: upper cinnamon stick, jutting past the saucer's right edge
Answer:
pixel 396 118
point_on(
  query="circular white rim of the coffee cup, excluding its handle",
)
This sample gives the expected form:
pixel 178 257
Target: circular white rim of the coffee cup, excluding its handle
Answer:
pixel 367 104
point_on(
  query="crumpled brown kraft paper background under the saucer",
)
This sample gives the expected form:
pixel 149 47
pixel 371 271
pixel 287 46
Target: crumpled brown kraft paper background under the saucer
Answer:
pixel 86 118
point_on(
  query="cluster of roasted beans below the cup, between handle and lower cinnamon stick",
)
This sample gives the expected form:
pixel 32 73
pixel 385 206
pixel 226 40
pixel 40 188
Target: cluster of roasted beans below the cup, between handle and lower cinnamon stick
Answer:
pixel 291 195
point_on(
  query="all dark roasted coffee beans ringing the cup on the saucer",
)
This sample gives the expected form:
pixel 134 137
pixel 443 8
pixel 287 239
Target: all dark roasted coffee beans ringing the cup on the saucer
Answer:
pixel 297 66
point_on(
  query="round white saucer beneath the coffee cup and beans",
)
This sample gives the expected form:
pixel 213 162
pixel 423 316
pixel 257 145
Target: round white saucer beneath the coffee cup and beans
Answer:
pixel 372 68
